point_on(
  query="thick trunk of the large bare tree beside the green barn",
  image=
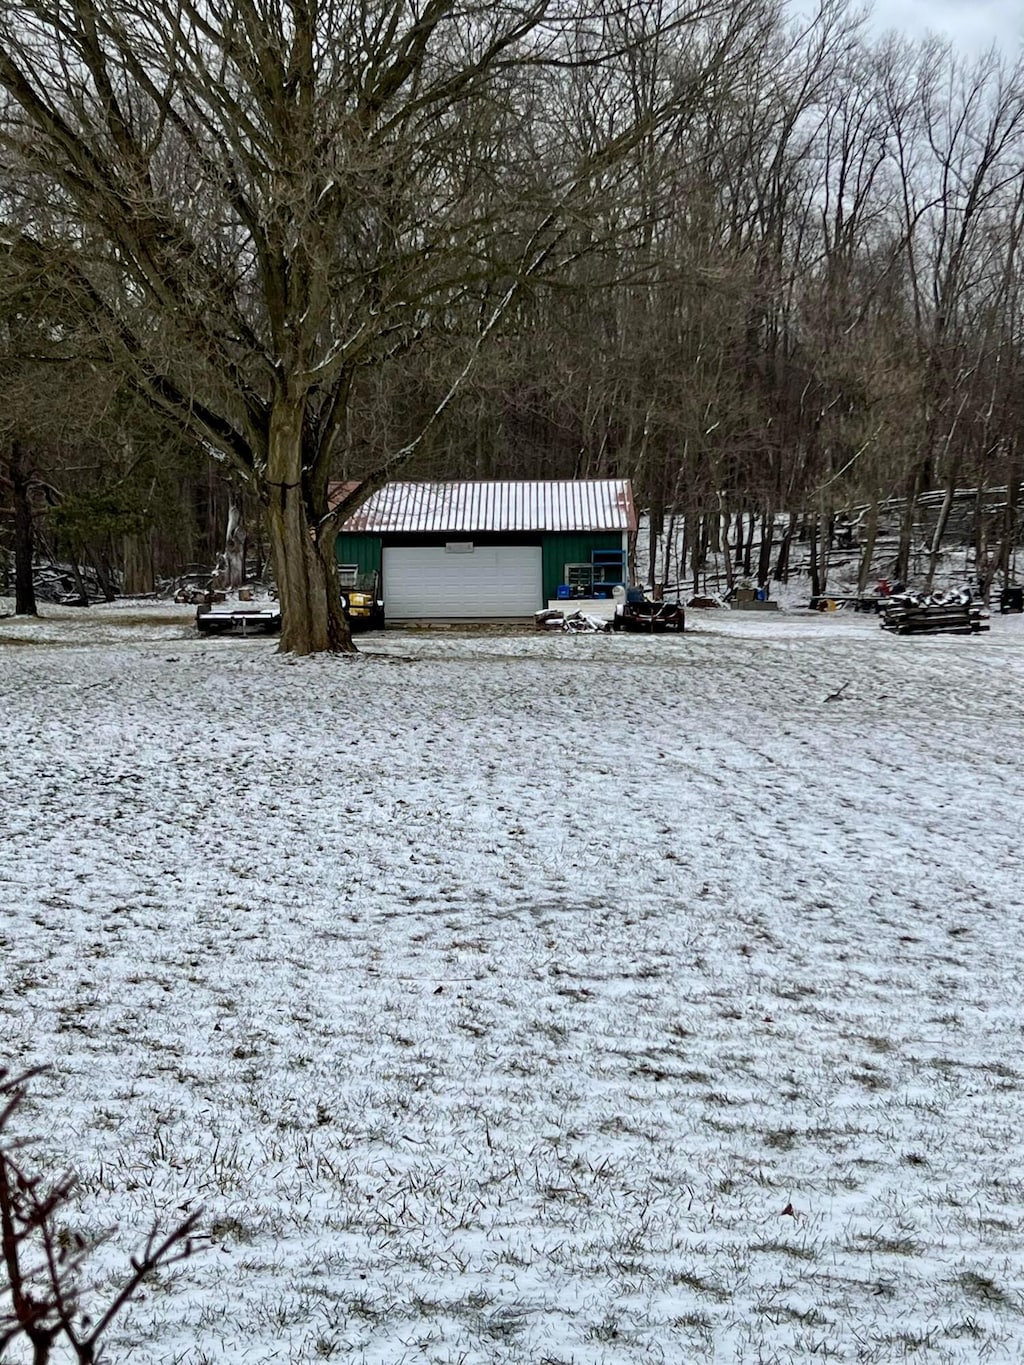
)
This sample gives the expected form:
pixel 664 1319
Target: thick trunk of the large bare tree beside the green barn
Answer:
pixel 304 556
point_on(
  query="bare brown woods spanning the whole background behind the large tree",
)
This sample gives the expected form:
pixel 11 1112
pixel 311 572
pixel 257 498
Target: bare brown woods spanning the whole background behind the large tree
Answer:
pixel 797 289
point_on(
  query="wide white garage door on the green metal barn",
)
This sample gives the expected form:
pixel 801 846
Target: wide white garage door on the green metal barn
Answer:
pixel 491 581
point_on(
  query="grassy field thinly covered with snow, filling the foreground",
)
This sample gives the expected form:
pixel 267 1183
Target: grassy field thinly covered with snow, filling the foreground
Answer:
pixel 528 998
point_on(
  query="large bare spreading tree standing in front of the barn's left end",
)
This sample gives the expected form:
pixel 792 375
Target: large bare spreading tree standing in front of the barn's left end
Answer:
pixel 260 203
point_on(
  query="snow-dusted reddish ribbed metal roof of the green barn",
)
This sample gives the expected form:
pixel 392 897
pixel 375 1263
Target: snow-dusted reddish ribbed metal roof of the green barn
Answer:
pixel 487 507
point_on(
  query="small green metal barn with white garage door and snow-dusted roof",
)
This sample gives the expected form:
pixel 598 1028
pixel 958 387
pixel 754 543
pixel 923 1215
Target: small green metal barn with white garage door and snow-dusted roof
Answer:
pixel 491 551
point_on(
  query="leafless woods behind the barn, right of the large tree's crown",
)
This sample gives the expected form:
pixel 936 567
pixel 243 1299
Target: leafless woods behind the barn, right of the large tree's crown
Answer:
pixel 823 311
